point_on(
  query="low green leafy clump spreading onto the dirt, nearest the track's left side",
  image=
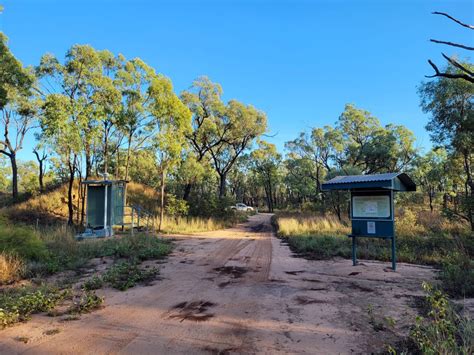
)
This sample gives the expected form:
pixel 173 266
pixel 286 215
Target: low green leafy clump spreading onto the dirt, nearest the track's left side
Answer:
pixel 125 274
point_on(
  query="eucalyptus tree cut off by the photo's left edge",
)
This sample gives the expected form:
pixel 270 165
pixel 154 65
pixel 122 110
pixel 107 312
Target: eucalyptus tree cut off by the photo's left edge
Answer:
pixel 19 106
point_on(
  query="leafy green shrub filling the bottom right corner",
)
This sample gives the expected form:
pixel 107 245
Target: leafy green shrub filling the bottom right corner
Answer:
pixel 443 331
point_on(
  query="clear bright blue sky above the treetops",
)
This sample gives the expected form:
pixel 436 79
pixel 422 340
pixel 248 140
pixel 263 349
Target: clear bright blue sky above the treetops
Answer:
pixel 299 61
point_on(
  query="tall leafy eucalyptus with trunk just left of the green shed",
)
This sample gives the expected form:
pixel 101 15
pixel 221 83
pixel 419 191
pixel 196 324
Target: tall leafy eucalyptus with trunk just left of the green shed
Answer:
pixel 79 96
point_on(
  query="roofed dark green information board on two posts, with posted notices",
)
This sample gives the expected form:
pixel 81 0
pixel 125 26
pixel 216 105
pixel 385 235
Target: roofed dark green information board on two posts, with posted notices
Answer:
pixel 372 205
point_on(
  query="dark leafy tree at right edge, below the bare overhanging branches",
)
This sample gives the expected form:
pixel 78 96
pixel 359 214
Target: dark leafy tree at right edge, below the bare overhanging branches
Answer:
pixel 450 104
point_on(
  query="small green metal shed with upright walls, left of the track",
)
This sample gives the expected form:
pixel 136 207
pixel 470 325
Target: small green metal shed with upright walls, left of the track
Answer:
pixel 105 204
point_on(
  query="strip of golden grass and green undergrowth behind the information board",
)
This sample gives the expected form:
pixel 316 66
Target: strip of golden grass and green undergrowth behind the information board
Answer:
pixel 324 237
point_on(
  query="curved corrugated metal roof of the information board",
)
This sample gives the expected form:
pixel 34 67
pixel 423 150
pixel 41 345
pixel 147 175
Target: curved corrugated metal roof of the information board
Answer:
pixel 387 181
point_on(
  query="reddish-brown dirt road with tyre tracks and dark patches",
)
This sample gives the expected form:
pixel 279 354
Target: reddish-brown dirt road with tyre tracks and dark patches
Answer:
pixel 239 290
